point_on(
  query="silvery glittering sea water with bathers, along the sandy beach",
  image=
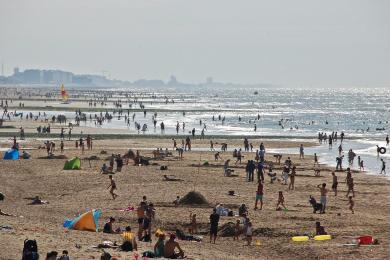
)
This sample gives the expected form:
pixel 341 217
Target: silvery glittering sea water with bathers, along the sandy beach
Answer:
pixel 363 114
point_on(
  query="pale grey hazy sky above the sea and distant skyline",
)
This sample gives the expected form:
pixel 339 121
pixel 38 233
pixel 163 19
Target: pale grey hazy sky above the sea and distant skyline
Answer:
pixel 290 43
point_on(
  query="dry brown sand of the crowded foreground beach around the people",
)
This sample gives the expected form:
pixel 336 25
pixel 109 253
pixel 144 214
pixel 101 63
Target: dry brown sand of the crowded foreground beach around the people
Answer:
pixel 74 192
